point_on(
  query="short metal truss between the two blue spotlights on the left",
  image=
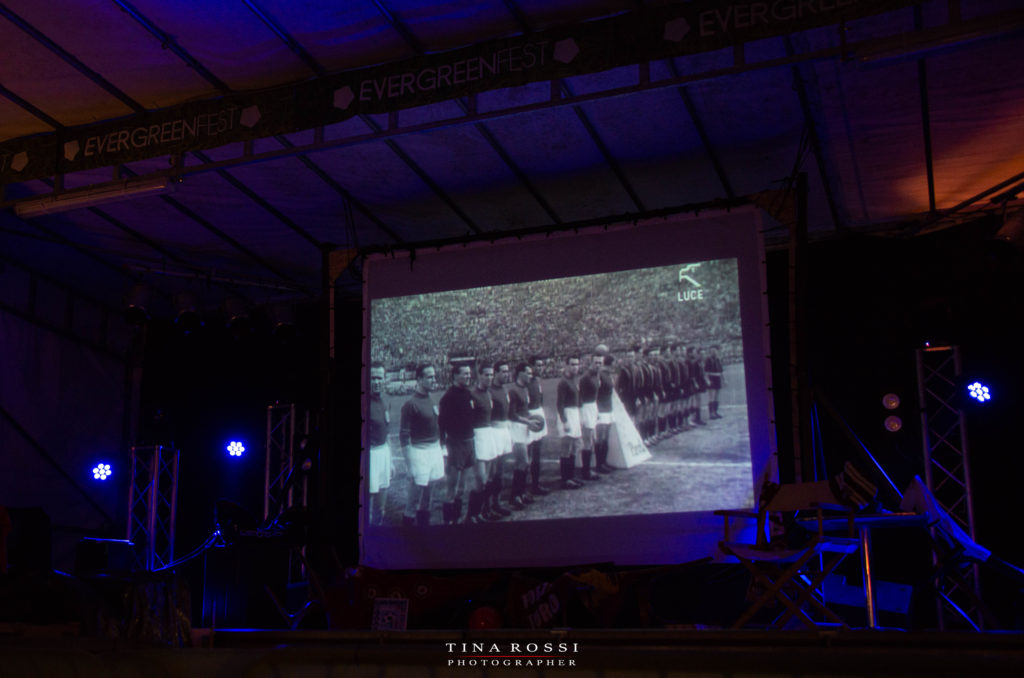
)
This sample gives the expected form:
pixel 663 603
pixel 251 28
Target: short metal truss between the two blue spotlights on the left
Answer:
pixel 153 503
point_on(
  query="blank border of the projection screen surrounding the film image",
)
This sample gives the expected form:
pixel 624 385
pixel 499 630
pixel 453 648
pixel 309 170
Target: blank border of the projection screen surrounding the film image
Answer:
pixel 628 540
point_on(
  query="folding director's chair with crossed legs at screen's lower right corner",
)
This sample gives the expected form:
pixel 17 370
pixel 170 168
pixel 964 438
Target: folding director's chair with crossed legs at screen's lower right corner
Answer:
pixel 788 567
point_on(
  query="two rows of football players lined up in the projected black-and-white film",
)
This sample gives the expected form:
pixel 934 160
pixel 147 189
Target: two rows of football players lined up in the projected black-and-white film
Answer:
pixel 460 446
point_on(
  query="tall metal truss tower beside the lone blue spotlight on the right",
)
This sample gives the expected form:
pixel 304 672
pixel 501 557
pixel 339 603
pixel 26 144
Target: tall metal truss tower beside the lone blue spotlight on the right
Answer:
pixel 948 473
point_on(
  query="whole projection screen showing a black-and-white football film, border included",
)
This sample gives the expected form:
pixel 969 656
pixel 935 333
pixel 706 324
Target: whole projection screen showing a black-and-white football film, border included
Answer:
pixel 635 313
